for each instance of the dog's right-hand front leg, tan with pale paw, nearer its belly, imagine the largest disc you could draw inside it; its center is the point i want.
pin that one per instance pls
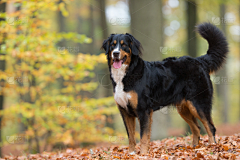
(145, 120)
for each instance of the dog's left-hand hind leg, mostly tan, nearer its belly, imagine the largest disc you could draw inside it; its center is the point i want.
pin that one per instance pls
(185, 113)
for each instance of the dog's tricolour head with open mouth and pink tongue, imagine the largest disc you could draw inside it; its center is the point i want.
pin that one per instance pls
(120, 48)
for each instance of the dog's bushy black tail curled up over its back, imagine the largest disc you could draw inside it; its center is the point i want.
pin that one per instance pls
(218, 46)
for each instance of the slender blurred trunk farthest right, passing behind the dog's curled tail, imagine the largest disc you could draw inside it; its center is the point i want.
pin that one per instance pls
(222, 89)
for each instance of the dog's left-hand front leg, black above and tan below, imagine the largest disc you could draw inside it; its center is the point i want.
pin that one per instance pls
(129, 122)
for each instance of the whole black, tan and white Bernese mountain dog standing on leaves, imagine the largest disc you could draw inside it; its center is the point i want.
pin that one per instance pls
(141, 87)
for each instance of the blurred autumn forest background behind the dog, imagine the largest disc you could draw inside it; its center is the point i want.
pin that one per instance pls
(55, 90)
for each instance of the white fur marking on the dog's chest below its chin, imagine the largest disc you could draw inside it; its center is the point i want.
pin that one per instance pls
(120, 96)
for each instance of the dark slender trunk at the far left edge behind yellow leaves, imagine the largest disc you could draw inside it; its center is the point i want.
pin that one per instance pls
(2, 68)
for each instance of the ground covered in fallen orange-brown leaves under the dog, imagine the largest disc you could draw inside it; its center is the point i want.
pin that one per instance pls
(176, 148)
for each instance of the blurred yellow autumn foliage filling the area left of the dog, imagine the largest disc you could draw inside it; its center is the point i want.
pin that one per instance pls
(47, 85)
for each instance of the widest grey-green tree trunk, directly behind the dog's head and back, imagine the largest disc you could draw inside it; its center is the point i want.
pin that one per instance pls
(146, 26)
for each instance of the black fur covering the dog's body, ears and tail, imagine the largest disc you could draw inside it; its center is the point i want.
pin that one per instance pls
(169, 82)
